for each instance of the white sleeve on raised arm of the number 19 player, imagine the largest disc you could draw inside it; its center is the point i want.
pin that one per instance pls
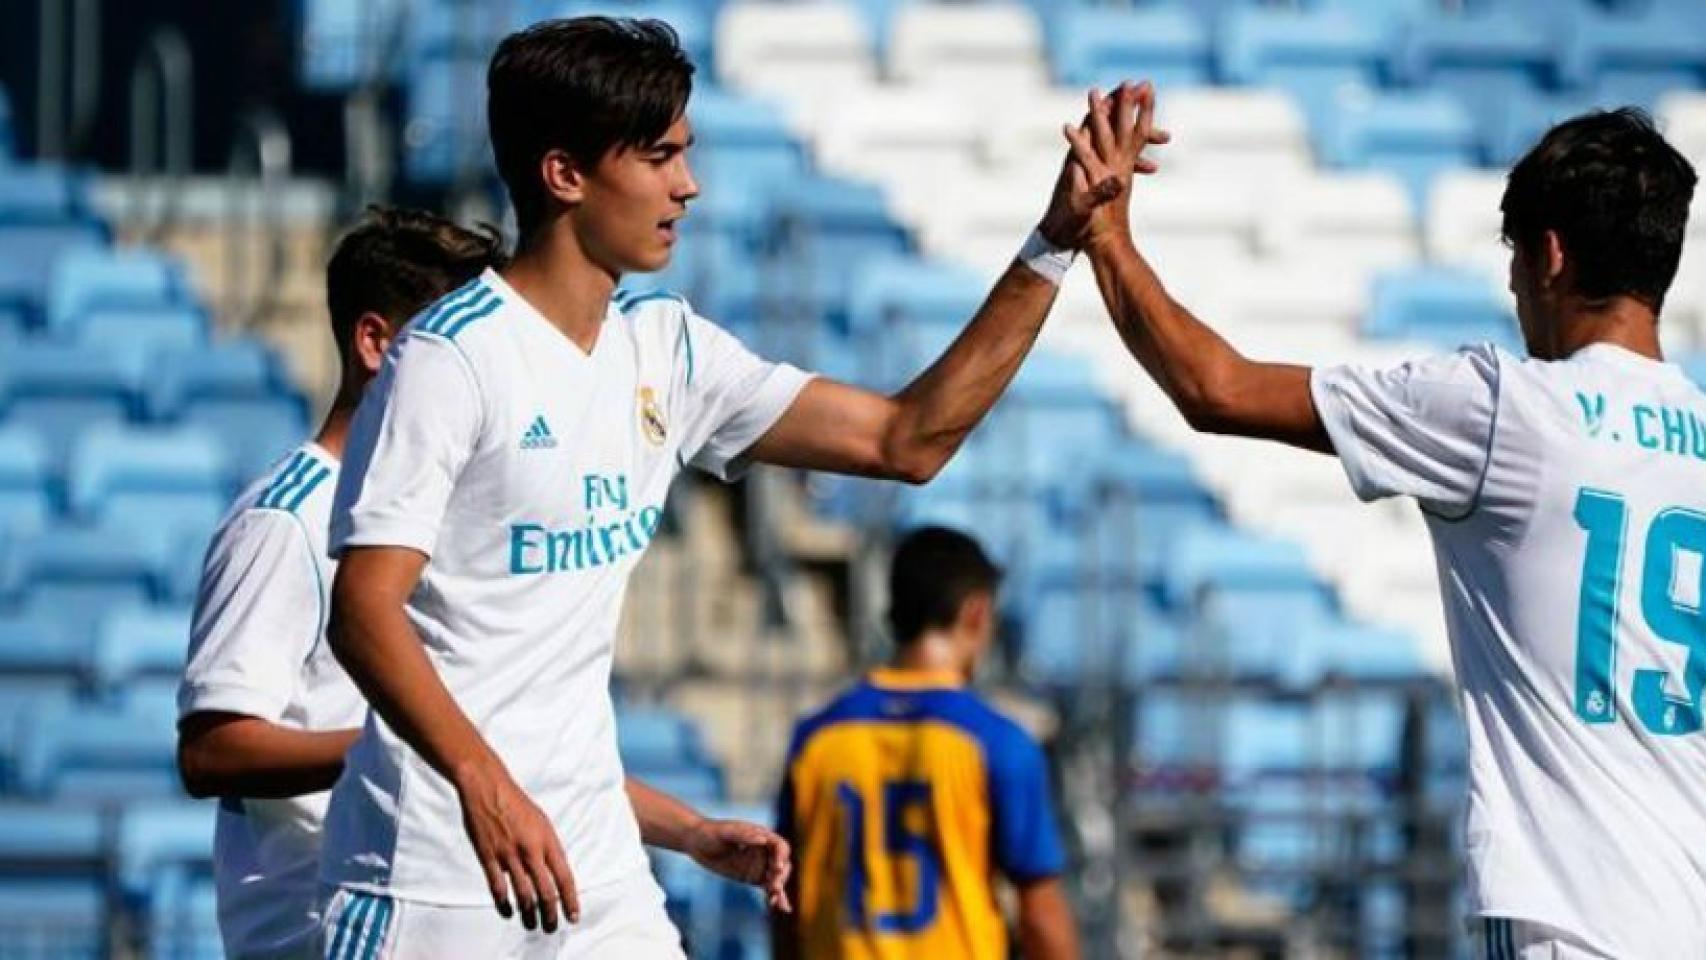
(1420, 429)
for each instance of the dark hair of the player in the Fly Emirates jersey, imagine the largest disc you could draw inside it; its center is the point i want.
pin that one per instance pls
(584, 86)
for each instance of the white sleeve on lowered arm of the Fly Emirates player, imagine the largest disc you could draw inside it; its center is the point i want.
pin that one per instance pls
(410, 439)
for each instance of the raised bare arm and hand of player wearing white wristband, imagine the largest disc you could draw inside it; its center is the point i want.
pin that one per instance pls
(914, 434)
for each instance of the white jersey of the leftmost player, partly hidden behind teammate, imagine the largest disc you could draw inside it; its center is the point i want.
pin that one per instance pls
(257, 649)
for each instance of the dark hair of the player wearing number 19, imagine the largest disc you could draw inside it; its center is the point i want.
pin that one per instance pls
(1616, 195)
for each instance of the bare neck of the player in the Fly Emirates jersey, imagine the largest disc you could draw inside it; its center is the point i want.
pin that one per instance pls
(559, 280)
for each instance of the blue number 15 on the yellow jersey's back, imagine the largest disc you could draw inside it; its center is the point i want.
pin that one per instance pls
(902, 845)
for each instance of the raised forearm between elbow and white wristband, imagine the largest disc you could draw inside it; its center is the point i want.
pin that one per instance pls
(941, 407)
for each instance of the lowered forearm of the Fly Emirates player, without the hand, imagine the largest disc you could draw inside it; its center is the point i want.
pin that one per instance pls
(380, 649)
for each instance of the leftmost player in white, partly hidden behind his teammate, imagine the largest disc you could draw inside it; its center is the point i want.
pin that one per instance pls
(267, 714)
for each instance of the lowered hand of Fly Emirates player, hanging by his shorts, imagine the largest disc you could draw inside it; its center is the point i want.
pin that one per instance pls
(518, 850)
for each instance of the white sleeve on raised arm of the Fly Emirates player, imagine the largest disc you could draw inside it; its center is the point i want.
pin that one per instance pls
(733, 396)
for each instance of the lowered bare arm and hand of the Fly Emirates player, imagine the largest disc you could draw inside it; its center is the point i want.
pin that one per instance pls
(374, 642)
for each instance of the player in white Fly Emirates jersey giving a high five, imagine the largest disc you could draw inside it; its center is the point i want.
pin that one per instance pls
(506, 475)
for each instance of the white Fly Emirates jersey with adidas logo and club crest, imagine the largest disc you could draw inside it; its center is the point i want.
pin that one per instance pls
(533, 475)
